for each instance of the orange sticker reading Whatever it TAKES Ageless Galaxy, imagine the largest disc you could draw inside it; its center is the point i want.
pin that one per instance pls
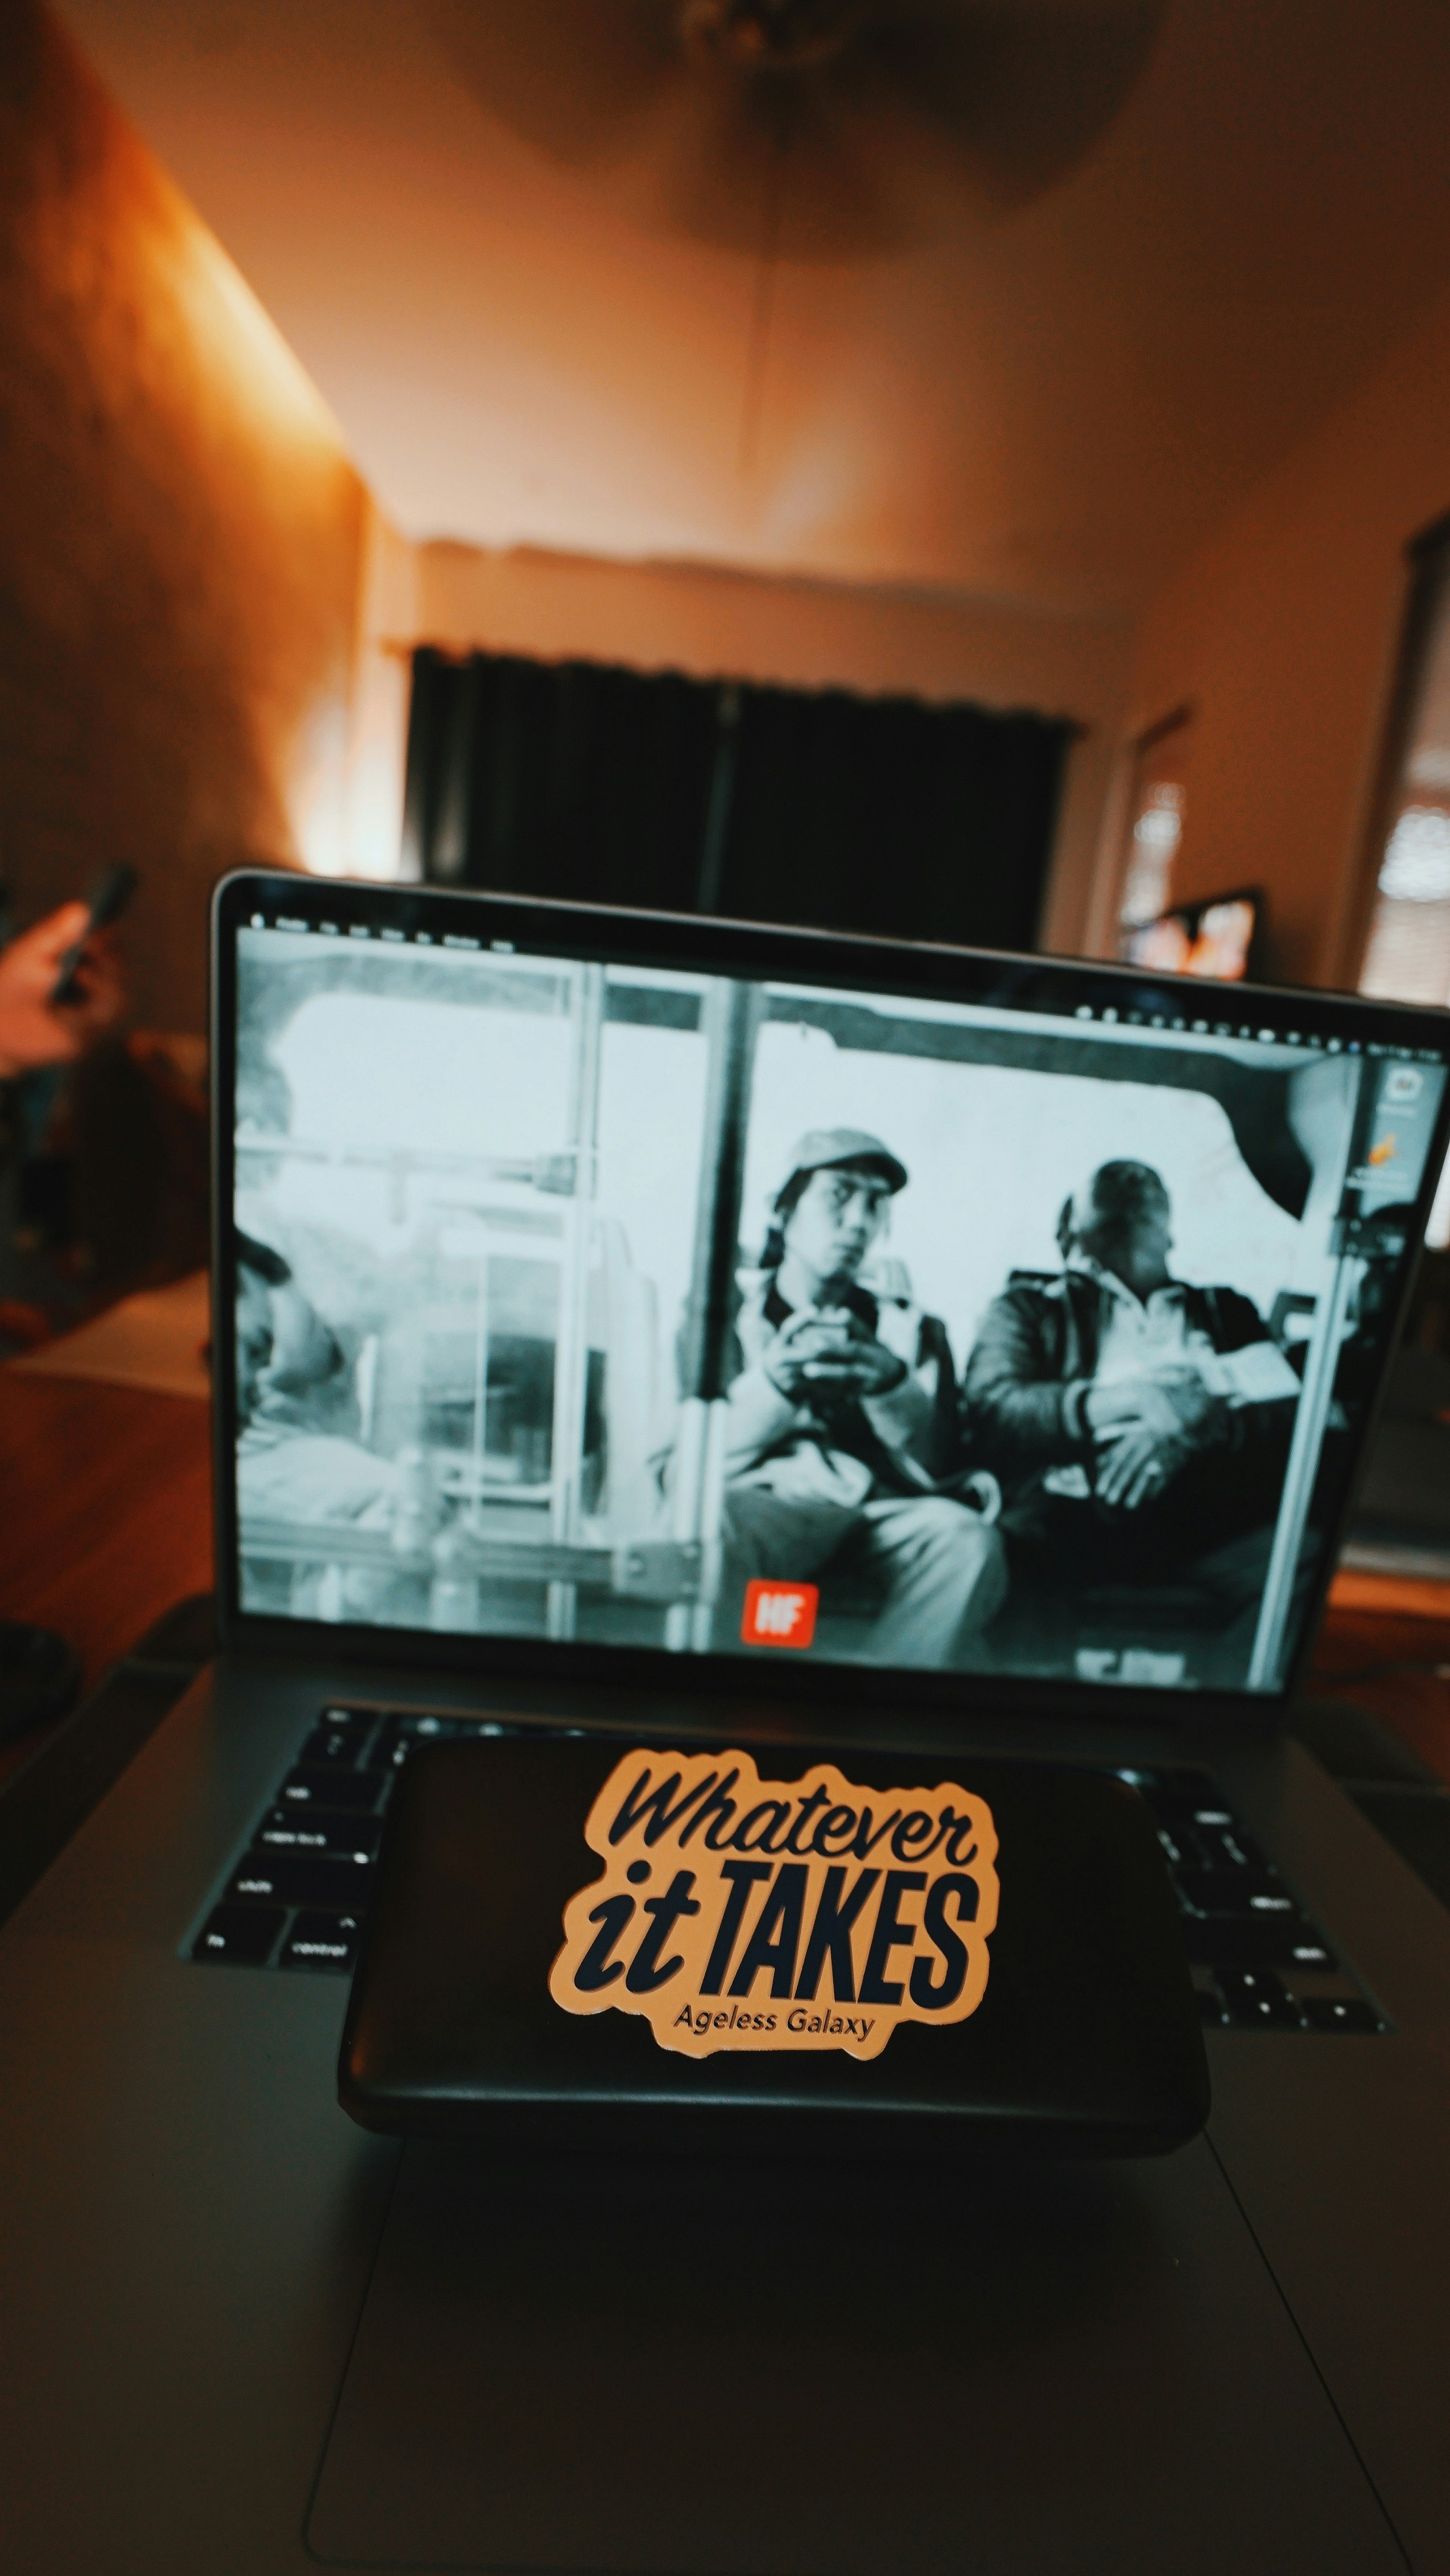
(743, 1913)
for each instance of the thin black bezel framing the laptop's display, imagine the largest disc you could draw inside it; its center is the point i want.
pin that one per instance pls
(766, 954)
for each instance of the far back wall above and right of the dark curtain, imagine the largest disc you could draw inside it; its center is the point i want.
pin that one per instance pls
(807, 635)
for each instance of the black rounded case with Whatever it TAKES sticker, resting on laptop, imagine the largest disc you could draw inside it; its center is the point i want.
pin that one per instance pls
(609, 1946)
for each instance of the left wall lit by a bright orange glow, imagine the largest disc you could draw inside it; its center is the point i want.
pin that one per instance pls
(189, 565)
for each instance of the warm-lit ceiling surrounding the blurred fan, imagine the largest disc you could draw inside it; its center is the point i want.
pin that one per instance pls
(1039, 406)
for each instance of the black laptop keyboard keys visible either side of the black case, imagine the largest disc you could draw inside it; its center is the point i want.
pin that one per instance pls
(300, 1892)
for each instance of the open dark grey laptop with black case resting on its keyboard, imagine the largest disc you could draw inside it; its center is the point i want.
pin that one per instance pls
(679, 1336)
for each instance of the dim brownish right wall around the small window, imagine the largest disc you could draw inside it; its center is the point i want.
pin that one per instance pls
(1281, 635)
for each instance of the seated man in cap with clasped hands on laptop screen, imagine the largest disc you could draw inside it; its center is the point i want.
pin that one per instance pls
(843, 1418)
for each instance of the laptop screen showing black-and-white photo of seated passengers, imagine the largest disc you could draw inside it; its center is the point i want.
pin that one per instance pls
(663, 1287)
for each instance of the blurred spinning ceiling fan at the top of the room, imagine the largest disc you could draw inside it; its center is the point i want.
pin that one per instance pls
(810, 130)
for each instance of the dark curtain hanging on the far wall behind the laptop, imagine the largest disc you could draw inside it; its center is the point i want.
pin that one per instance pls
(769, 805)
